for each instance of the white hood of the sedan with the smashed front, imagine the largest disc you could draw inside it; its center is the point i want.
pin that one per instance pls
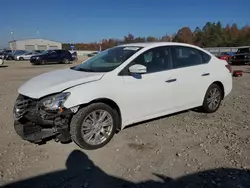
(56, 81)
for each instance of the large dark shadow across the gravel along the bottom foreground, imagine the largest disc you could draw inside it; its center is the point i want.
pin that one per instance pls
(81, 172)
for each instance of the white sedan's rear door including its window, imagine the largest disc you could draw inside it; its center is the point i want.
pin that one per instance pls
(192, 71)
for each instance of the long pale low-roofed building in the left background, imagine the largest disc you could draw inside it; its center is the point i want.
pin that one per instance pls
(34, 44)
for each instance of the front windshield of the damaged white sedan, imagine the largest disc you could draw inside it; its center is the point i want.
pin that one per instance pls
(108, 60)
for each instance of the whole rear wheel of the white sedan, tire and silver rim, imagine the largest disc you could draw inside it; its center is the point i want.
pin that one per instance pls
(212, 99)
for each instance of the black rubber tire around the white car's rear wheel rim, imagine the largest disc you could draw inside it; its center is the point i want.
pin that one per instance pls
(205, 106)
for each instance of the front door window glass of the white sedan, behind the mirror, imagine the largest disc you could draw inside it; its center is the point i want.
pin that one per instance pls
(156, 59)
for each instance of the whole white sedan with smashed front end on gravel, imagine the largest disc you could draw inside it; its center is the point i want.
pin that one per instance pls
(120, 86)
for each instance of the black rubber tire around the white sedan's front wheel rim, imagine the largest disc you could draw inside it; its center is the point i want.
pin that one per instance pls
(77, 120)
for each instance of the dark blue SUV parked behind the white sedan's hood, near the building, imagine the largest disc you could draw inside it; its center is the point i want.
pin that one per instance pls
(52, 56)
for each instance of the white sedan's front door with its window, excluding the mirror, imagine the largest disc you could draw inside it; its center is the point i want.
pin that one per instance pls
(151, 94)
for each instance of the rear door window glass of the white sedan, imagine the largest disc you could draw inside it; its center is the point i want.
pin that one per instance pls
(188, 56)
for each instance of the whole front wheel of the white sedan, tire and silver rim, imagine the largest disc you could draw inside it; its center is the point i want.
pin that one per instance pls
(94, 126)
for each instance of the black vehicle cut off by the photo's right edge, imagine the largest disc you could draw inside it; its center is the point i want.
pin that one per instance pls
(242, 56)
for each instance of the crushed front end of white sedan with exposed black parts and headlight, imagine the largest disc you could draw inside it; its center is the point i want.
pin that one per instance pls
(40, 120)
